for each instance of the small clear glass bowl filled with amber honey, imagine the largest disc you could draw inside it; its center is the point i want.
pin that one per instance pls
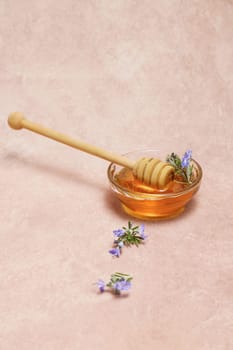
(142, 201)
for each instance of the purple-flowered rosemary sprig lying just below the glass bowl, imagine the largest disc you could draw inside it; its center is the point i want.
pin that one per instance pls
(127, 236)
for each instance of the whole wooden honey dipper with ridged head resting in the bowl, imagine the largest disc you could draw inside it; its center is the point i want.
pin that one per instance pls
(150, 171)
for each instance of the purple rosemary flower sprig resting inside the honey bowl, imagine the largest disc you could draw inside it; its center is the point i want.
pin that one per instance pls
(183, 168)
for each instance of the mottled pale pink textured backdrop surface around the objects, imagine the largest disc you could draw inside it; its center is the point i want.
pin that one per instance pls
(123, 75)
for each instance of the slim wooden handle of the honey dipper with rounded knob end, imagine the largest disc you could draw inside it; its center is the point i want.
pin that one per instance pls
(18, 121)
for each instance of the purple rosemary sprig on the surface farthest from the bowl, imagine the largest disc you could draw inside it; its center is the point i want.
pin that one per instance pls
(118, 282)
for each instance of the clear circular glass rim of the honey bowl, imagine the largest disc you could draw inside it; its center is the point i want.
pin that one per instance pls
(153, 196)
